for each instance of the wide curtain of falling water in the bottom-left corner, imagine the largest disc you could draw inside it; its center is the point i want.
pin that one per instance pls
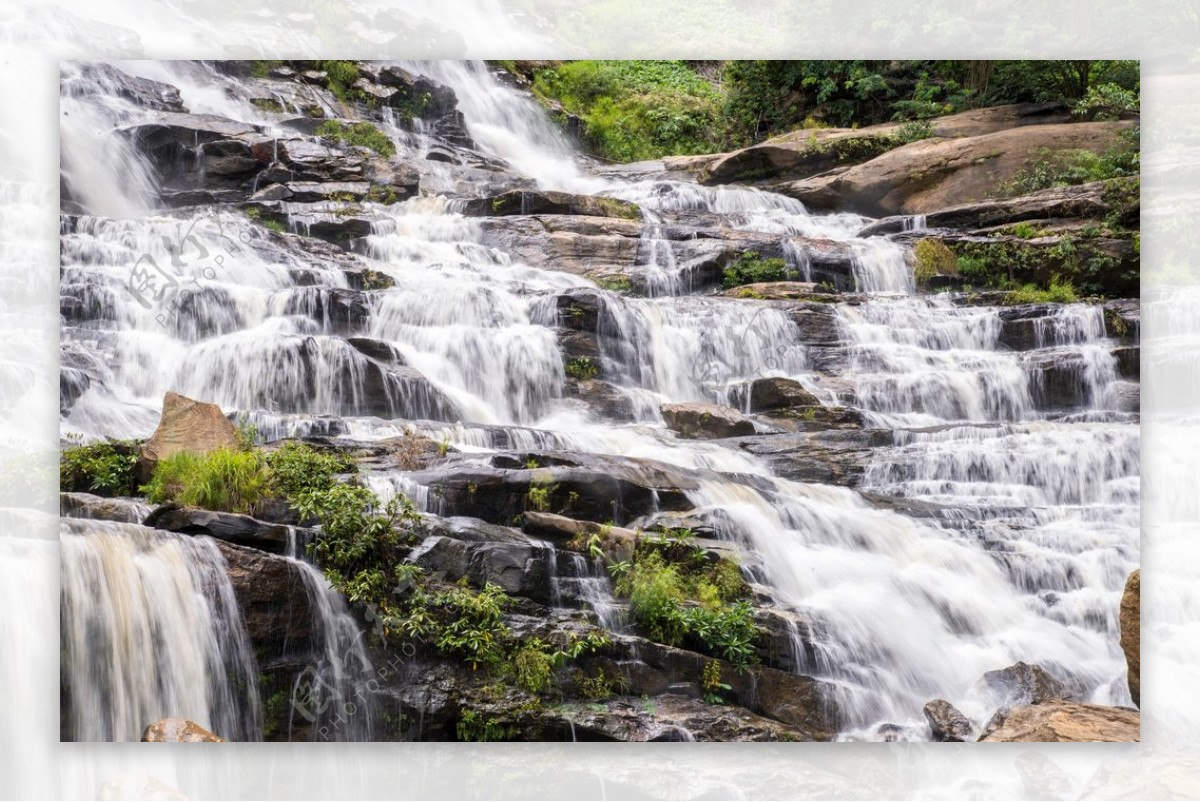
(152, 630)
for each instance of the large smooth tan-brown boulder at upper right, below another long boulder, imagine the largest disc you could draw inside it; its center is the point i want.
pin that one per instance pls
(937, 173)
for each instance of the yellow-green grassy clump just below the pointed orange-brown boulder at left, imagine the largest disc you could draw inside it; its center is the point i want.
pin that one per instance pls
(225, 480)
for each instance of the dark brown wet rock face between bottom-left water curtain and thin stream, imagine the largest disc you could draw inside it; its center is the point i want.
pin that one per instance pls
(274, 602)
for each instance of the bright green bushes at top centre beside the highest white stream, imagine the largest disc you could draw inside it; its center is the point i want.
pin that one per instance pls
(637, 110)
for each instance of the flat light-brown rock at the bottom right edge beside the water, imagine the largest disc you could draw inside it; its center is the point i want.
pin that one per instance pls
(1065, 722)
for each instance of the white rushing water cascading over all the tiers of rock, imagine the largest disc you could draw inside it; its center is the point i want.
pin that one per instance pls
(1025, 561)
